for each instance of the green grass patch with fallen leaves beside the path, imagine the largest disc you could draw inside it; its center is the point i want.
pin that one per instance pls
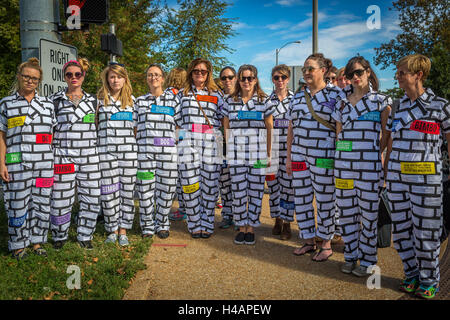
(106, 271)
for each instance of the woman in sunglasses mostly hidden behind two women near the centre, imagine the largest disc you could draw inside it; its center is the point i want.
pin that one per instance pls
(228, 80)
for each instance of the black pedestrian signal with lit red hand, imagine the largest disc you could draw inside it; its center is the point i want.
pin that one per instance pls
(92, 11)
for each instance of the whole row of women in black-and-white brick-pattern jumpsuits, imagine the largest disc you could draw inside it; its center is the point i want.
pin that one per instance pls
(323, 143)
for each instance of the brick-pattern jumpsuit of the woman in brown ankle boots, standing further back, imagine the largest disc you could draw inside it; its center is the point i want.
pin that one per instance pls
(281, 200)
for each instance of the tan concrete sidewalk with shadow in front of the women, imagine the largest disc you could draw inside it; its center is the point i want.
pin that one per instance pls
(210, 269)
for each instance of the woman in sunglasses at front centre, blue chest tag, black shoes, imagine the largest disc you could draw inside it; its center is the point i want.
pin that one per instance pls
(248, 124)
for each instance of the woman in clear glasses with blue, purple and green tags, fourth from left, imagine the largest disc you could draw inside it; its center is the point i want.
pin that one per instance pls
(157, 158)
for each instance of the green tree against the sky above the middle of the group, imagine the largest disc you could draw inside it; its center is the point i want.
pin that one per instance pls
(197, 29)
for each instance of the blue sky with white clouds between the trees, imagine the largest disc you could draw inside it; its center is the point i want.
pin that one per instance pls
(266, 25)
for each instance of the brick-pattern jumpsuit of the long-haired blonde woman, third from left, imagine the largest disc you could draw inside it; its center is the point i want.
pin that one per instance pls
(118, 163)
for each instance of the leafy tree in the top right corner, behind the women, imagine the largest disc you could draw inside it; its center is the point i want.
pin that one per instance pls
(425, 28)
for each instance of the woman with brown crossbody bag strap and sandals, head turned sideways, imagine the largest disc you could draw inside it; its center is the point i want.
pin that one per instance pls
(310, 157)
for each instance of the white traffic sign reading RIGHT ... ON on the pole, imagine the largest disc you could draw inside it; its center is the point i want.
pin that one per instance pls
(52, 56)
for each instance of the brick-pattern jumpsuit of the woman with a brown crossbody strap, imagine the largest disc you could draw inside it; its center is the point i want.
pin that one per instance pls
(312, 157)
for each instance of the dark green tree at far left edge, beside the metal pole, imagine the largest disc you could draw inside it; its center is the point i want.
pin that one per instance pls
(10, 50)
